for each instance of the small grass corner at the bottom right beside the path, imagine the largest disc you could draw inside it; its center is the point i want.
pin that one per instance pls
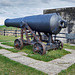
(69, 71)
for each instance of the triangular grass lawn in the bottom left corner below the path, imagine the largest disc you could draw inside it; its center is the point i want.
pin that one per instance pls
(10, 67)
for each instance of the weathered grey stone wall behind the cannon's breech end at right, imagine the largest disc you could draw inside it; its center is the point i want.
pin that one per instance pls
(69, 15)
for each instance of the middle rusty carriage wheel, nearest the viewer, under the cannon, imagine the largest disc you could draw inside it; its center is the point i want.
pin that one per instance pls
(39, 48)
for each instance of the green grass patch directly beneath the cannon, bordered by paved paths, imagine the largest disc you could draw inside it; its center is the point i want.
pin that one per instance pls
(50, 55)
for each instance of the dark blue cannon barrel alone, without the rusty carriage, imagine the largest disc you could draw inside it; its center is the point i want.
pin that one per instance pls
(47, 23)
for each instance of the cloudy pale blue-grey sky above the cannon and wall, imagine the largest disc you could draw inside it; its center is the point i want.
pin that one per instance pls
(21, 8)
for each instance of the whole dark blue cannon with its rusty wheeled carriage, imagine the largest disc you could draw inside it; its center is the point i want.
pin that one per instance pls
(39, 31)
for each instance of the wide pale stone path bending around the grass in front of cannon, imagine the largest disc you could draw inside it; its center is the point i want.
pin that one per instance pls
(52, 67)
